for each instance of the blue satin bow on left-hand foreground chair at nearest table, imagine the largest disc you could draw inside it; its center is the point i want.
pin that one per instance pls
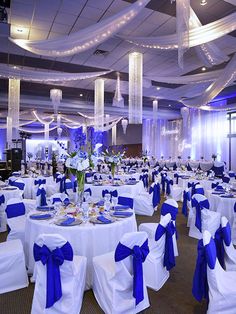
(53, 260)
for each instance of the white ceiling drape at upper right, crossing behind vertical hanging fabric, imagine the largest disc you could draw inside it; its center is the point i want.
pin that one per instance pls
(197, 36)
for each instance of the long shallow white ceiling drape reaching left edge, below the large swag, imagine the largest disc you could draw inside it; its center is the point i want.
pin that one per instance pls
(24, 74)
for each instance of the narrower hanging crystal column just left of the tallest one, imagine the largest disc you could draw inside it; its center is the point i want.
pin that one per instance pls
(99, 105)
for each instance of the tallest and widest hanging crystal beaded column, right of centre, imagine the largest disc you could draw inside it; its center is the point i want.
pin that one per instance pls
(135, 87)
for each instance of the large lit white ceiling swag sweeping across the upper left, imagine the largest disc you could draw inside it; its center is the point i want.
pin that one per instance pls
(86, 38)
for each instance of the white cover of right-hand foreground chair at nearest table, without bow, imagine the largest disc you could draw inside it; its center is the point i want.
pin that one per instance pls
(113, 281)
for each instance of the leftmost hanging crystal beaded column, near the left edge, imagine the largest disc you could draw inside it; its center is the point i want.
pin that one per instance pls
(14, 104)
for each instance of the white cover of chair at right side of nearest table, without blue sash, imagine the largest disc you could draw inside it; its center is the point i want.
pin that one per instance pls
(155, 273)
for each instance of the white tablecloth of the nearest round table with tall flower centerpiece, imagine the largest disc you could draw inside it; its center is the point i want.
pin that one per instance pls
(87, 239)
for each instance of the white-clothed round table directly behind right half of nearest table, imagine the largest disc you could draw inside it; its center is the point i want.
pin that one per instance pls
(132, 190)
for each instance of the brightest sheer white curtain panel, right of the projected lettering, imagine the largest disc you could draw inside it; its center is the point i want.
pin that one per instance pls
(209, 134)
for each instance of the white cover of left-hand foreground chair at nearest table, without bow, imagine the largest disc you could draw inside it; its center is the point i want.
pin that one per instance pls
(72, 280)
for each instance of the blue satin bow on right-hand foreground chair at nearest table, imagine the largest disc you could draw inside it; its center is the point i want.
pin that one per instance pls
(139, 255)
